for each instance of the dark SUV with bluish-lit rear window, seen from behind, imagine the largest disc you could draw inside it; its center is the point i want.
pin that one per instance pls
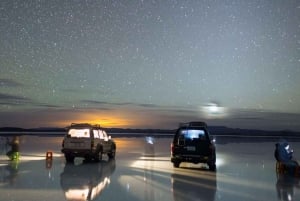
(192, 143)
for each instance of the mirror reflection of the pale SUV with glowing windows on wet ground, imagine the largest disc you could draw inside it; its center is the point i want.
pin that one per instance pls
(86, 181)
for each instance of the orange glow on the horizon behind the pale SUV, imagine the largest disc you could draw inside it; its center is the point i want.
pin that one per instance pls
(114, 118)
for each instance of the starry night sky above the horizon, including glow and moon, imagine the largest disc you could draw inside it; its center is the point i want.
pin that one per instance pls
(150, 64)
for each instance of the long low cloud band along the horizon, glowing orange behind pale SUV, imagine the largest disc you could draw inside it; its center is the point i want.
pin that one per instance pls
(145, 117)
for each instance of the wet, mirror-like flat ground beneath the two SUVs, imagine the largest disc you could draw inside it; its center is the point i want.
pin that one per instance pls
(141, 171)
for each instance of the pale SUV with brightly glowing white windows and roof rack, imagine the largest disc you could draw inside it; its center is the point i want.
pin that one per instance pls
(87, 141)
